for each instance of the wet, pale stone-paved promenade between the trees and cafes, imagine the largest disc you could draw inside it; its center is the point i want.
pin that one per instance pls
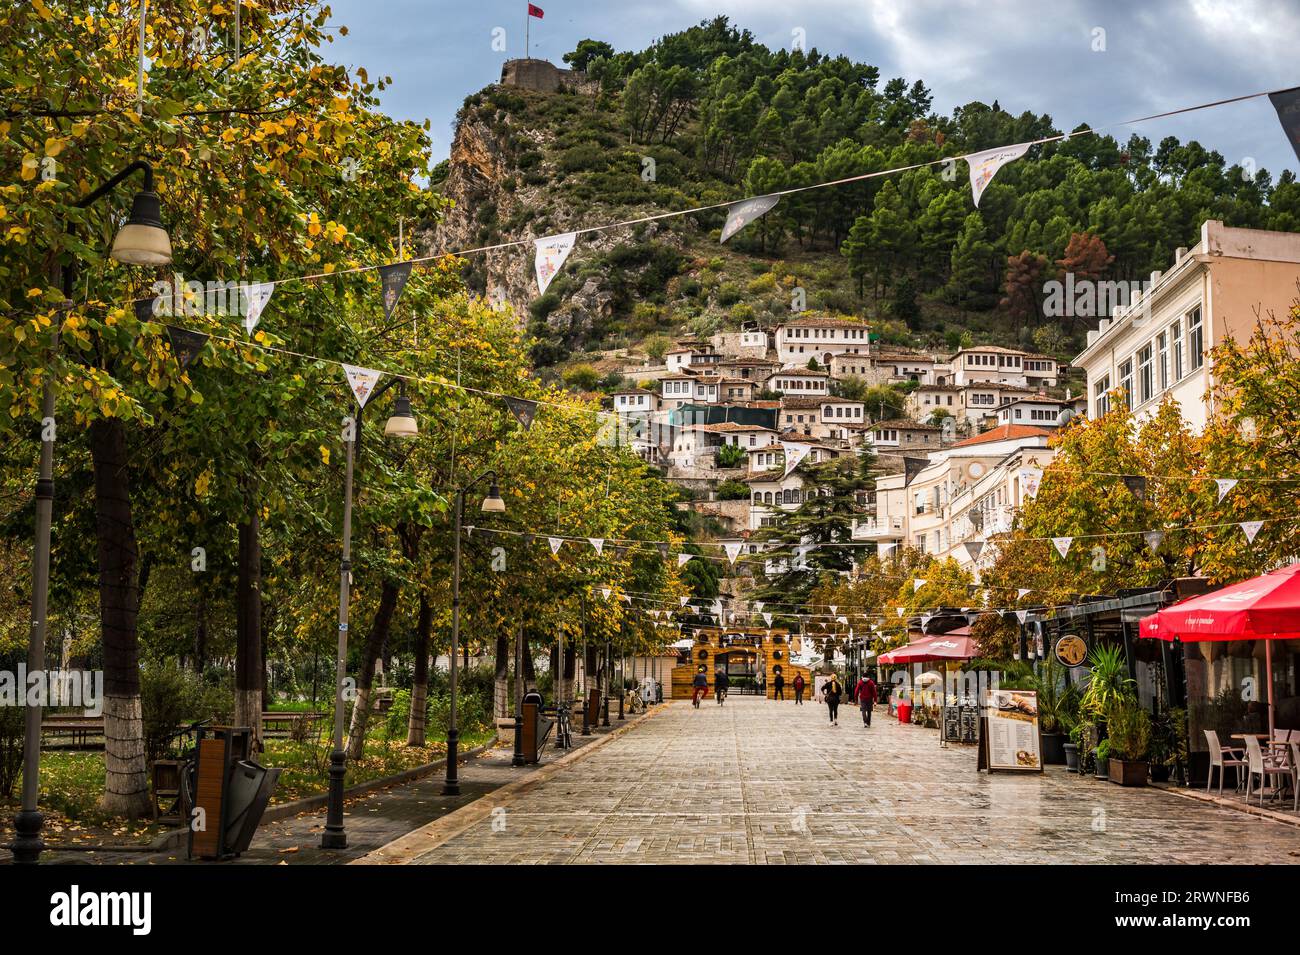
(761, 782)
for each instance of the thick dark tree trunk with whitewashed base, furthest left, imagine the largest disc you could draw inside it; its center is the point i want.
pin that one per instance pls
(125, 784)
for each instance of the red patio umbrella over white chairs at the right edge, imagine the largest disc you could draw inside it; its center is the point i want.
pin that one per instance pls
(1263, 609)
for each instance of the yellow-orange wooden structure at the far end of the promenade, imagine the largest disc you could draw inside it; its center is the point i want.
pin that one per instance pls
(751, 657)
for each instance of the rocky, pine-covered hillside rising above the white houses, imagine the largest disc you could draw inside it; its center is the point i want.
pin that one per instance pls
(723, 118)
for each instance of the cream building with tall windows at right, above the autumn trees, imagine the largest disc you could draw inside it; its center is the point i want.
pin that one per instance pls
(1160, 344)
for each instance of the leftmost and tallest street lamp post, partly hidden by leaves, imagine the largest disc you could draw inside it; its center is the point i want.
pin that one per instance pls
(142, 241)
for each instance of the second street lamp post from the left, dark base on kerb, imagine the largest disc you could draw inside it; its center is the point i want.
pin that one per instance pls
(401, 424)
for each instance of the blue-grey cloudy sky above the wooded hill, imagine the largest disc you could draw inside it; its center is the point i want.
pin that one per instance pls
(1159, 55)
